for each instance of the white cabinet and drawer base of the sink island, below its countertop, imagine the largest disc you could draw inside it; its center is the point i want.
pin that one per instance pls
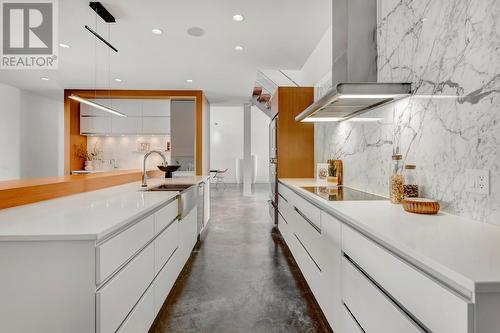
(116, 283)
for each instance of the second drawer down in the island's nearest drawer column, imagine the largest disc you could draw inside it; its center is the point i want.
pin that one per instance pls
(115, 300)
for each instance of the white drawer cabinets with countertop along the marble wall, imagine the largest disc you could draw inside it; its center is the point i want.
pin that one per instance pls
(369, 259)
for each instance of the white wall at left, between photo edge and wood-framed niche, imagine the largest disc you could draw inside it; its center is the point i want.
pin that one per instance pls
(31, 134)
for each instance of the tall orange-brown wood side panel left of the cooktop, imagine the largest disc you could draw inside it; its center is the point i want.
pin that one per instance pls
(295, 139)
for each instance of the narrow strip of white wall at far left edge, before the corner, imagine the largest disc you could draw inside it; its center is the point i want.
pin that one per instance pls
(10, 127)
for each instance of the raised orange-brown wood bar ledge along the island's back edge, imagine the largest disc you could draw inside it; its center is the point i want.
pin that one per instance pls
(25, 191)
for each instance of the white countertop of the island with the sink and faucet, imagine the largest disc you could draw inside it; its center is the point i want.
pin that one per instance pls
(86, 216)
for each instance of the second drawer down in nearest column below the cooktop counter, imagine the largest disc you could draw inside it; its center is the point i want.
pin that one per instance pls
(371, 308)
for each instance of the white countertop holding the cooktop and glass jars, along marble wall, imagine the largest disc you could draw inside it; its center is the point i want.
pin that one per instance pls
(461, 253)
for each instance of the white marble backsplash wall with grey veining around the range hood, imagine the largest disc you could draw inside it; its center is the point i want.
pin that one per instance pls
(450, 51)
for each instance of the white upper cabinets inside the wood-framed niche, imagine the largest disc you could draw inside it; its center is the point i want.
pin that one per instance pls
(142, 117)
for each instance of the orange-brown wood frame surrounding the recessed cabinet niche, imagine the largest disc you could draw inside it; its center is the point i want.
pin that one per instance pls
(73, 139)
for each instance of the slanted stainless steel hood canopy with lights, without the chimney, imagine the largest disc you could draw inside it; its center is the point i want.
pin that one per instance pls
(349, 100)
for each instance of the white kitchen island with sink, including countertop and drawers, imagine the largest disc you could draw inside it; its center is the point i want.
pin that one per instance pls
(100, 261)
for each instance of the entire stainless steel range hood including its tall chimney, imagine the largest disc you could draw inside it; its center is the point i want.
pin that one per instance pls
(354, 59)
